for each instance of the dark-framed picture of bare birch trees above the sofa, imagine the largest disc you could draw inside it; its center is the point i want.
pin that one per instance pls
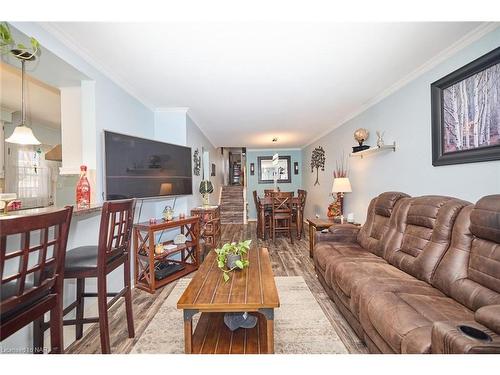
(466, 113)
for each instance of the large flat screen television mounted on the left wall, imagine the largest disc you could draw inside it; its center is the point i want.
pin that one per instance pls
(142, 168)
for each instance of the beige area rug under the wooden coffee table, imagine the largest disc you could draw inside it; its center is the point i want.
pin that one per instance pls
(301, 327)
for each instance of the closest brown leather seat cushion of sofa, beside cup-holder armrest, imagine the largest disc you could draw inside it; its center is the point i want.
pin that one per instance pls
(405, 320)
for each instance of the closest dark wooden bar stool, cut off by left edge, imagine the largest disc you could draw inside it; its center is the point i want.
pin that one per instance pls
(32, 274)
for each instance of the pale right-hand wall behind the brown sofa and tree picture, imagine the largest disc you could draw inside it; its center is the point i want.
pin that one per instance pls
(405, 116)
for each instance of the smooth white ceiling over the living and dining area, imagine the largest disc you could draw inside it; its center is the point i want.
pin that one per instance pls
(254, 81)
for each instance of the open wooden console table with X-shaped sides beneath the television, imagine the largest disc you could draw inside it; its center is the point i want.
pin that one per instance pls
(185, 255)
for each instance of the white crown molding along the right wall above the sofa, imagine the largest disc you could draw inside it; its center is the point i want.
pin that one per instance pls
(461, 43)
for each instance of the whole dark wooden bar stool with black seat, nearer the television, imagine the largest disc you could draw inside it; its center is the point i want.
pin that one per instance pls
(98, 261)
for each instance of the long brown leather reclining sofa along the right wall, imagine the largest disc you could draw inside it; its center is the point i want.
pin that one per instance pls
(417, 270)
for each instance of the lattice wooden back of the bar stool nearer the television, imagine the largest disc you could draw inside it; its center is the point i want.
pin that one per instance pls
(115, 232)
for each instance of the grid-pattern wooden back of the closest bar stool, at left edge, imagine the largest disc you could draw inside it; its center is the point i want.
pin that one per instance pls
(35, 268)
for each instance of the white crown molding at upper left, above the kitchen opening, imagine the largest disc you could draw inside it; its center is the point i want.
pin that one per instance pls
(73, 45)
